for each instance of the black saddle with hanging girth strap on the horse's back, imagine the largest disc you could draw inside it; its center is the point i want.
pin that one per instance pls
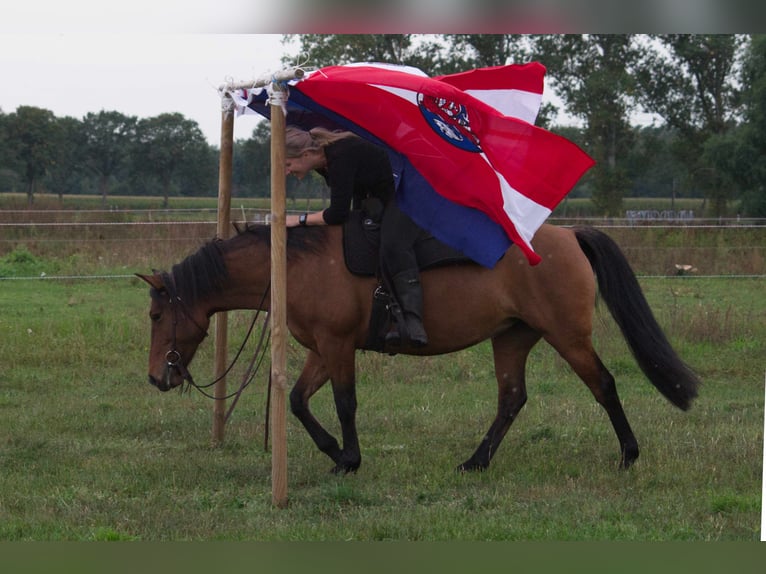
(361, 243)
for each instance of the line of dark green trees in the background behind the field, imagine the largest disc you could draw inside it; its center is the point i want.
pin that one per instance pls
(705, 93)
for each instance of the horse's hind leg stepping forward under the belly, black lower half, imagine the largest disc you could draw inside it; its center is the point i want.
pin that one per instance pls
(510, 350)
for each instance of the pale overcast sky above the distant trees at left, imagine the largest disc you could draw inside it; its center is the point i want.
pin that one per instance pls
(142, 75)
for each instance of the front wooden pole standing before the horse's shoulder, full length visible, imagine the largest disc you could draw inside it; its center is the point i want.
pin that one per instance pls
(278, 316)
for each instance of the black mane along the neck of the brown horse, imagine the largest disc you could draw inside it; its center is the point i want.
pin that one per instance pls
(204, 272)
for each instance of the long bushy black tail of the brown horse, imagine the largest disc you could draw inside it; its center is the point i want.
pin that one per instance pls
(620, 290)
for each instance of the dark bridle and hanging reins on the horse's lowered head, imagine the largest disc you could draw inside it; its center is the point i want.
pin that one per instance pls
(173, 356)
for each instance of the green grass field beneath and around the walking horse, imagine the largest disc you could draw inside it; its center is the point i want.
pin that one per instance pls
(89, 451)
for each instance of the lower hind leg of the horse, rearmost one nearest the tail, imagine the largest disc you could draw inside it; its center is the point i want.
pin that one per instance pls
(600, 381)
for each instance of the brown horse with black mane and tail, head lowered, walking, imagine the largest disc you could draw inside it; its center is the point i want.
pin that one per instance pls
(513, 304)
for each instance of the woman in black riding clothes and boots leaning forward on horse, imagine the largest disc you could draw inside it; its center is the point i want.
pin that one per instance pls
(359, 175)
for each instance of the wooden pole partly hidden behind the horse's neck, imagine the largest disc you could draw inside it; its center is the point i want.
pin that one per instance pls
(224, 211)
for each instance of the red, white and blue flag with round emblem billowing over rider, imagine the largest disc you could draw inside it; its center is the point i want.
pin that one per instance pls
(470, 166)
